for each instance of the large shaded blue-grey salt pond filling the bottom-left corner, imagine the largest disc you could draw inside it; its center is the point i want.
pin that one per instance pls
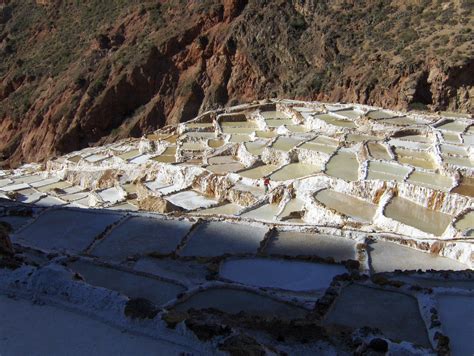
(67, 333)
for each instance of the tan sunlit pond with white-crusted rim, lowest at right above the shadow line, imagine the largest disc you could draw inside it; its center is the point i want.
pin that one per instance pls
(409, 213)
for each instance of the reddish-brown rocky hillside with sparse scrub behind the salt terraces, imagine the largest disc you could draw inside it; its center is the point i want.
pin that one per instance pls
(77, 73)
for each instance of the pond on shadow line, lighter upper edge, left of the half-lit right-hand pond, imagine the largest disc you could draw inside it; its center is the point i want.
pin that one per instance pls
(292, 243)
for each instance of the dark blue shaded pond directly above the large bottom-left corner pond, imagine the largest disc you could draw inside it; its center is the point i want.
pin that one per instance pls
(129, 284)
